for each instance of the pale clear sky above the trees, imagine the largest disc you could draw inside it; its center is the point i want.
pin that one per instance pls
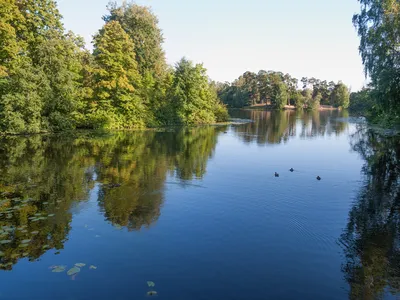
(311, 38)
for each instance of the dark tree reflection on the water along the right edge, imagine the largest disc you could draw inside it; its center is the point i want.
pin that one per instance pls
(371, 240)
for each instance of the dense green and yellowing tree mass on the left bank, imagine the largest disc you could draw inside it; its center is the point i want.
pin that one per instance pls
(50, 82)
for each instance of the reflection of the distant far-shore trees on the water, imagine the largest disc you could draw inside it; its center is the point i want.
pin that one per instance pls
(276, 127)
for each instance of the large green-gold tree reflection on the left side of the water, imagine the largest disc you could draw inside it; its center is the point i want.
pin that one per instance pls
(43, 178)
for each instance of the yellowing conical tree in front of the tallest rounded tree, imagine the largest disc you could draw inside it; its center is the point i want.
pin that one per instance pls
(116, 101)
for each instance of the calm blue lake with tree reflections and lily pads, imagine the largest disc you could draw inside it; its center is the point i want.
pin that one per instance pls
(197, 213)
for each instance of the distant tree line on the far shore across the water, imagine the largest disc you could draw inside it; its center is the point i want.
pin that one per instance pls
(278, 90)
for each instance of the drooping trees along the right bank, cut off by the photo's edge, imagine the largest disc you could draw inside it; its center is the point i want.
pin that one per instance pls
(378, 26)
